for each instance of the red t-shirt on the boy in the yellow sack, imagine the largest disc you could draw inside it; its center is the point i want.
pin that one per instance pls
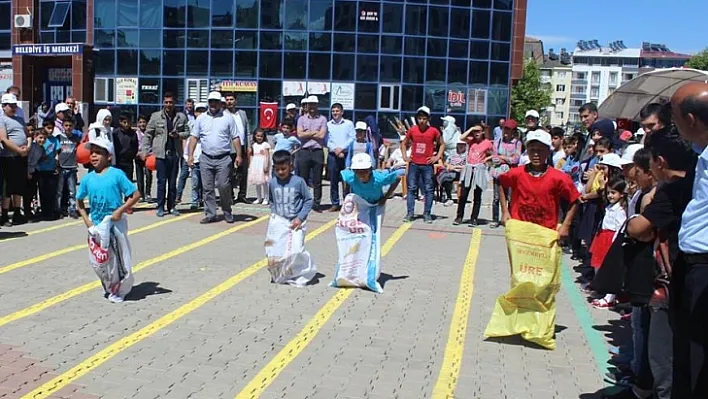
(536, 199)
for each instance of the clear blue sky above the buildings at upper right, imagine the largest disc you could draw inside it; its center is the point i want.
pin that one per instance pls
(679, 24)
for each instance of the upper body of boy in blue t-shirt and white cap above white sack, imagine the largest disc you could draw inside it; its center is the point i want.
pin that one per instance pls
(368, 183)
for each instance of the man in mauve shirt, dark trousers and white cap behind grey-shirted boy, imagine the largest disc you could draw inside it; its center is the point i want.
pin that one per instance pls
(312, 132)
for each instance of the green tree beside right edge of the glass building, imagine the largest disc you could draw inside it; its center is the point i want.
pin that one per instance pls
(529, 93)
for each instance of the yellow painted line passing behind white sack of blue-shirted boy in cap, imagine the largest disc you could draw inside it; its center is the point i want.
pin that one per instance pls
(270, 372)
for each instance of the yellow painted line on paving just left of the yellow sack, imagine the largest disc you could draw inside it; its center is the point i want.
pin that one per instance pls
(452, 361)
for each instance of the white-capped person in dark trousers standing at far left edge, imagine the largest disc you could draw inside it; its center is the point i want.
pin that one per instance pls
(13, 159)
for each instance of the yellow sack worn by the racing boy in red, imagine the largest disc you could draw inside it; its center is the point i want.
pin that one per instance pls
(529, 307)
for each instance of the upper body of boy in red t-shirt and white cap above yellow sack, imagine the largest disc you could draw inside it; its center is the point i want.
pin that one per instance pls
(537, 188)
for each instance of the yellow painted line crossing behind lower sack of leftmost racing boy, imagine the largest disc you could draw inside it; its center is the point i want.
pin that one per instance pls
(47, 303)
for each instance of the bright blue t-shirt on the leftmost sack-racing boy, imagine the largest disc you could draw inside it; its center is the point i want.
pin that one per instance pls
(105, 191)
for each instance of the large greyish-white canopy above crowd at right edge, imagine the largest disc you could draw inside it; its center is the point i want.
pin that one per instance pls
(655, 86)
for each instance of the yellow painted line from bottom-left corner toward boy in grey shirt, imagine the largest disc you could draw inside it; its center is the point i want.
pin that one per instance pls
(122, 344)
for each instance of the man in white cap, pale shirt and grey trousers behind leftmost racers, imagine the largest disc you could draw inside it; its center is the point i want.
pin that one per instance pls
(217, 133)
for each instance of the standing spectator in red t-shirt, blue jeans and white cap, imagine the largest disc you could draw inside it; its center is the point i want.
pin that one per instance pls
(422, 139)
